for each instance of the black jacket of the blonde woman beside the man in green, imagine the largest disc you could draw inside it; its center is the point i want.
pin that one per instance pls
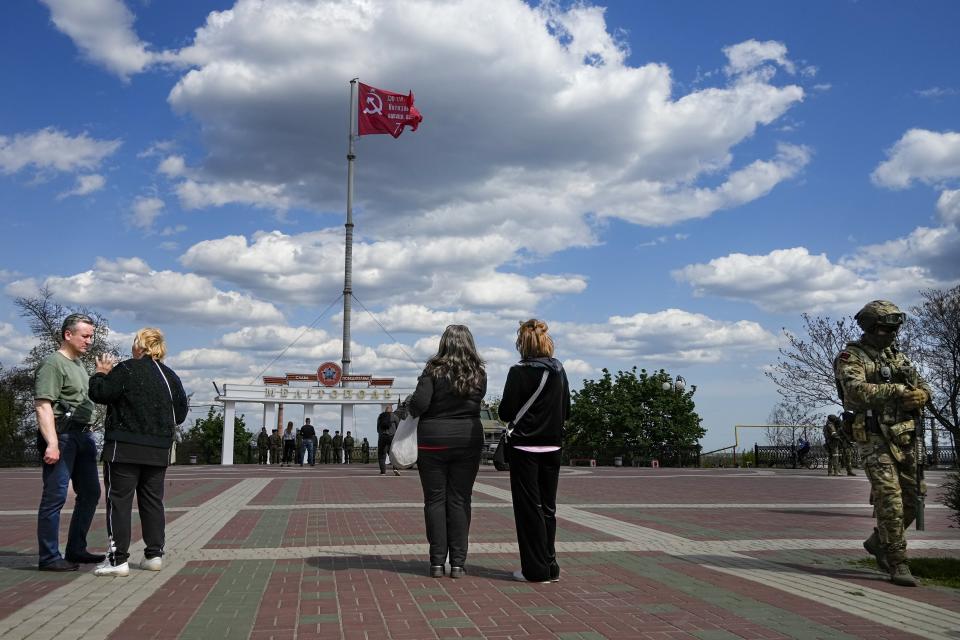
(139, 405)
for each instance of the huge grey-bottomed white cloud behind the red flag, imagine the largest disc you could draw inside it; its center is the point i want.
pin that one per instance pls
(268, 82)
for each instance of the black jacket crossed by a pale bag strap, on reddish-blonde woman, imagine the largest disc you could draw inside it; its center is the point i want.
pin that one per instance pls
(542, 424)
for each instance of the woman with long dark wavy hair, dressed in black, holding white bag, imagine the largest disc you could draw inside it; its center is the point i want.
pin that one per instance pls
(449, 439)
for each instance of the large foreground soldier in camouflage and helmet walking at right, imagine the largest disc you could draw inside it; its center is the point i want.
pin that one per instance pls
(882, 394)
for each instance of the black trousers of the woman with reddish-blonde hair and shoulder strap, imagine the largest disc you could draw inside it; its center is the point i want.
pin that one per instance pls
(533, 484)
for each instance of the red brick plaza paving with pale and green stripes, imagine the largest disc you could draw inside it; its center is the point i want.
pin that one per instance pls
(338, 552)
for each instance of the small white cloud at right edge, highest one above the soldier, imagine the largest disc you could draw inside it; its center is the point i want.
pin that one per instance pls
(928, 156)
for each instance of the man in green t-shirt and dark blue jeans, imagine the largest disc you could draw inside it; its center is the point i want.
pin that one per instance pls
(64, 413)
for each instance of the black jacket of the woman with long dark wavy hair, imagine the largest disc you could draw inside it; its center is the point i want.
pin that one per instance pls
(446, 419)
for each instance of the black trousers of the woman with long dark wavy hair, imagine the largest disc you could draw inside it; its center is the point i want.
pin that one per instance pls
(447, 477)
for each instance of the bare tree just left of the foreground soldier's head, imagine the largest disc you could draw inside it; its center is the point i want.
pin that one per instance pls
(804, 371)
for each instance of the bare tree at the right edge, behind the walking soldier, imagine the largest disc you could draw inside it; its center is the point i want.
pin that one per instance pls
(936, 343)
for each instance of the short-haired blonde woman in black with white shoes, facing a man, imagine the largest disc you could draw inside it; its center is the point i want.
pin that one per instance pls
(145, 402)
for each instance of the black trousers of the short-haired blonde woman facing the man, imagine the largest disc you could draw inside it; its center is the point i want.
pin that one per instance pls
(121, 480)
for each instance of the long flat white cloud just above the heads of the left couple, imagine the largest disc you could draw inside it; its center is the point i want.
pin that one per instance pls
(130, 285)
